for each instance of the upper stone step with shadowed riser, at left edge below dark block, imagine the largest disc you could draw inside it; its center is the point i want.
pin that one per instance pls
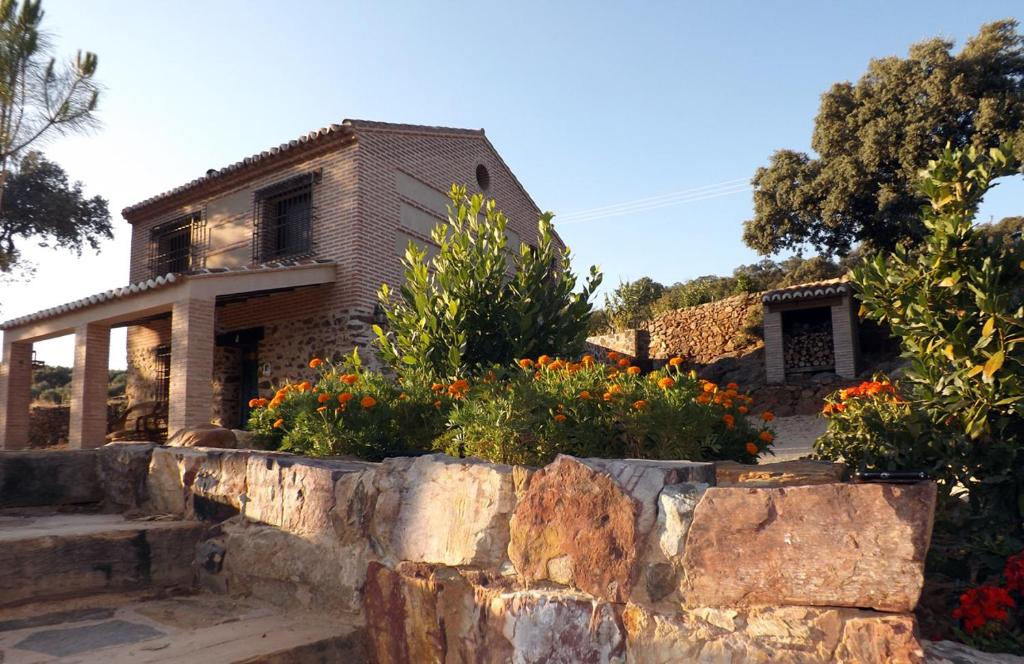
(49, 555)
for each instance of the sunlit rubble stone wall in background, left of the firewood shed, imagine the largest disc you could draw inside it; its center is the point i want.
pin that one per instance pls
(704, 334)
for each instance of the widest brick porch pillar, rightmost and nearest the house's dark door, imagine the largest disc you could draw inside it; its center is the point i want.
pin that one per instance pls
(192, 364)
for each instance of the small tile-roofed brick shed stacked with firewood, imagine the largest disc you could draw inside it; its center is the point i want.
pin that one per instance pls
(812, 328)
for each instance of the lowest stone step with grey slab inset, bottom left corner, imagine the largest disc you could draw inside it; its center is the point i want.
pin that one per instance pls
(193, 629)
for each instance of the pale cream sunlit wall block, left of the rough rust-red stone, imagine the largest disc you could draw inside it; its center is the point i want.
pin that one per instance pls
(440, 510)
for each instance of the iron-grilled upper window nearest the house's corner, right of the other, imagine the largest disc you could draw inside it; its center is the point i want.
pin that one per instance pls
(283, 220)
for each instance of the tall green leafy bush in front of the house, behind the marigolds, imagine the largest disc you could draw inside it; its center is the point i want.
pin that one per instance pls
(461, 312)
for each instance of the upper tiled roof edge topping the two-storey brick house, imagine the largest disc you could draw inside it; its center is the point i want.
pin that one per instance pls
(334, 132)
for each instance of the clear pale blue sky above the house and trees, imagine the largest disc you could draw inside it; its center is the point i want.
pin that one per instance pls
(591, 104)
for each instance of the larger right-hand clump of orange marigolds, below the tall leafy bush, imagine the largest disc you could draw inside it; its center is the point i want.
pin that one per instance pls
(587, 409)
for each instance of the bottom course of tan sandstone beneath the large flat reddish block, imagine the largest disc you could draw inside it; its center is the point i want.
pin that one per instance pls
(771, 635)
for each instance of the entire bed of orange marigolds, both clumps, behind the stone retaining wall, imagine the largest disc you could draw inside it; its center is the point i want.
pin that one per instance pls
(528, 413)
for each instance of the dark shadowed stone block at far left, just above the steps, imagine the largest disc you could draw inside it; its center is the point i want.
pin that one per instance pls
(53, 478)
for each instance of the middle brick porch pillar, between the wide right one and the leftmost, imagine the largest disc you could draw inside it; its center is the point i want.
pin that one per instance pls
(88, 425)
